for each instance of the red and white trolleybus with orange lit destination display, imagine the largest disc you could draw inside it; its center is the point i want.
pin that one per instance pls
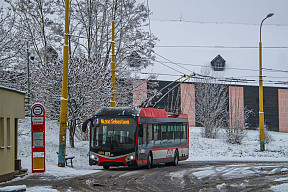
(126, 136)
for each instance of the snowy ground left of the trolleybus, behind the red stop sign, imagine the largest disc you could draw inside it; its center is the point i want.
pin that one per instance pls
(81, 151)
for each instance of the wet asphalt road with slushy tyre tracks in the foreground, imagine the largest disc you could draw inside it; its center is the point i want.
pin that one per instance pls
(187, 176)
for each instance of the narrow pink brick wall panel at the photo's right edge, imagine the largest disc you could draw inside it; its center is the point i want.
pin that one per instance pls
(283, 109)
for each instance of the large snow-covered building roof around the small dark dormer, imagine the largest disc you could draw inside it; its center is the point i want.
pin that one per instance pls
(187, 47)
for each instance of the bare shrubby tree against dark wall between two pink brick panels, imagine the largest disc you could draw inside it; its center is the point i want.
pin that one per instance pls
(211, 101)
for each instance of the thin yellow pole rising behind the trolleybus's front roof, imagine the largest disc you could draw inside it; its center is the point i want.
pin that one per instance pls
(112, 101)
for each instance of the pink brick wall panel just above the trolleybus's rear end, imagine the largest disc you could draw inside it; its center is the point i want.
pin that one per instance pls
(188, 102)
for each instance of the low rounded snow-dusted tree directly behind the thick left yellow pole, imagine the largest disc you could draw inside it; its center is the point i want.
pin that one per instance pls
(88, 90)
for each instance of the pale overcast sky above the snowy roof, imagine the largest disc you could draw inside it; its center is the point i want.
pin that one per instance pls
(234, 11)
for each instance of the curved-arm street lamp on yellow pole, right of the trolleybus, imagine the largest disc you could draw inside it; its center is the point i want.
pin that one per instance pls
(261, 112)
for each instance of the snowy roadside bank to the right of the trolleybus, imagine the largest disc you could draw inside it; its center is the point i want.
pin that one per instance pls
(204, 149)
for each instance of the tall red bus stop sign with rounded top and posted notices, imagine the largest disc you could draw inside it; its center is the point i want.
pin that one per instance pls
(38, 138)
